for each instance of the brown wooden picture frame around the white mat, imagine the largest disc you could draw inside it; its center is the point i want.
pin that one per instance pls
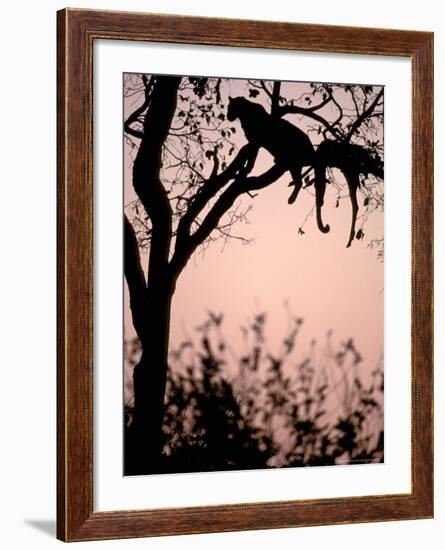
(76, 517)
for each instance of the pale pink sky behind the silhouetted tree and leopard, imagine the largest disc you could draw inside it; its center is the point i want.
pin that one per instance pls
(332, 287)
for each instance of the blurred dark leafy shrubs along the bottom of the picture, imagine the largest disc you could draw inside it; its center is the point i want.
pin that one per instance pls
(260, 410)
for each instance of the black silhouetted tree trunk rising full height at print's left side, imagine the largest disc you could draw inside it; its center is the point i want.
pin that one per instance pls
(151, 303)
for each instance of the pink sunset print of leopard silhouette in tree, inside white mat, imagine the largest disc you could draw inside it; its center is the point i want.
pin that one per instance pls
(253, 284)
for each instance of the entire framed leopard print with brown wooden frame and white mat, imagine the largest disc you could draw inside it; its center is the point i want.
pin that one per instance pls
(245, 228)
